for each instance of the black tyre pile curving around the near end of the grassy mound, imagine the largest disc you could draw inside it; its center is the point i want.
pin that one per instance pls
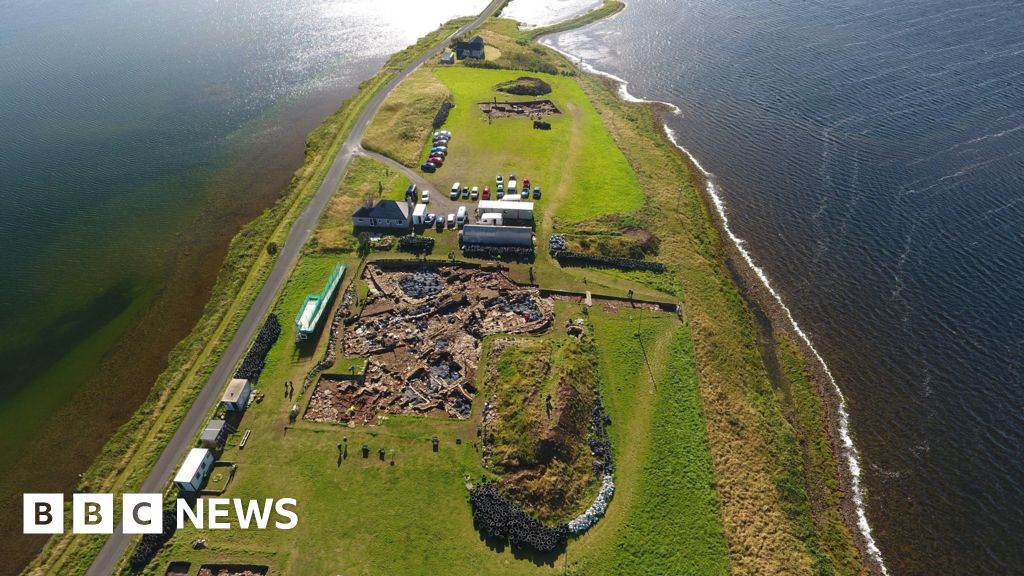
(499, 518)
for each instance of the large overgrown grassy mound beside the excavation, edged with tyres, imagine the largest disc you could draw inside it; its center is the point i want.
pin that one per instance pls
(542, 397)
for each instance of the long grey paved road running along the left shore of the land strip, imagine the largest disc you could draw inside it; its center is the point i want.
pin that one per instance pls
(183, 440)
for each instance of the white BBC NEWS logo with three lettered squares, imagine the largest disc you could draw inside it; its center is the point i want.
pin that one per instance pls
(144, 514)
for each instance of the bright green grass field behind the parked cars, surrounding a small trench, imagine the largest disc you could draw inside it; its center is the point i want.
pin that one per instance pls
(577, 159)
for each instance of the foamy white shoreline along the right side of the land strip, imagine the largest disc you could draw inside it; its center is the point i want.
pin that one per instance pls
(761, 297)
